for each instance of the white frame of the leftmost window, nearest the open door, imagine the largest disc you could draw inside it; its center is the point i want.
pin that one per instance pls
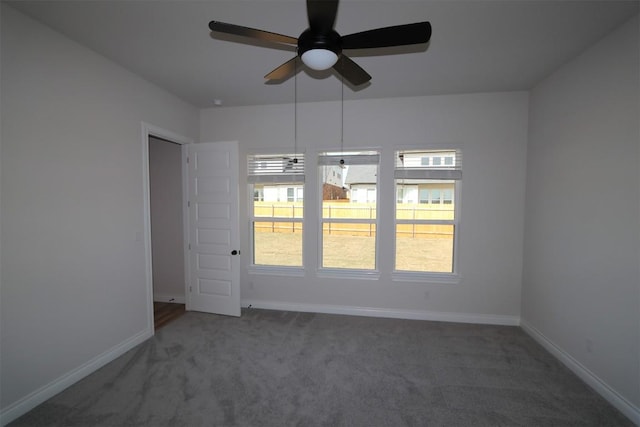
(260, 171)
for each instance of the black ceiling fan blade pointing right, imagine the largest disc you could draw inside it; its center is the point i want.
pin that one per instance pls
(398, 35)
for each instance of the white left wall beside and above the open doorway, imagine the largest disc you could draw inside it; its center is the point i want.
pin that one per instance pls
(73, 261)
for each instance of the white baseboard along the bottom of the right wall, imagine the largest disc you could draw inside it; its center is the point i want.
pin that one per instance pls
(600, 386)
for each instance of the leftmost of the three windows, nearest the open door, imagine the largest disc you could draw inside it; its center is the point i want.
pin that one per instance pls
(276, 213)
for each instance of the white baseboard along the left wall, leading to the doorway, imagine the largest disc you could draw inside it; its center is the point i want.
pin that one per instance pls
(47, 391)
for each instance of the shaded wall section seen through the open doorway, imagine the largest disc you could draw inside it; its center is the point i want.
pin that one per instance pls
(167, 232)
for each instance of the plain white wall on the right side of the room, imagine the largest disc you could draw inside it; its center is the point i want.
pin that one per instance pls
(582, 244)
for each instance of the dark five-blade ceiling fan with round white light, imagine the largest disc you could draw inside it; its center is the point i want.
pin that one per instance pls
(320, 46)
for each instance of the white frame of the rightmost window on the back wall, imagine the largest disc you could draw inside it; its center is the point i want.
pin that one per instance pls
(435, 172)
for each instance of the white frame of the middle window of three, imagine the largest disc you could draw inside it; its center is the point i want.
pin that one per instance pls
(357, 157)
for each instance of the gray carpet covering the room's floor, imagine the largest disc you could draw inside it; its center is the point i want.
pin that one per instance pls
(272, 368)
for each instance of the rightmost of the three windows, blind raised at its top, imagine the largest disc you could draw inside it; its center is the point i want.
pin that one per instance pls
(426, 231)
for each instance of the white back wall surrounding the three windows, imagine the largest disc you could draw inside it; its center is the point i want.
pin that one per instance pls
(492, 131)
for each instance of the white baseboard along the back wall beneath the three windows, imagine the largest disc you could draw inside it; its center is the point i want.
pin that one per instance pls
(439, 316)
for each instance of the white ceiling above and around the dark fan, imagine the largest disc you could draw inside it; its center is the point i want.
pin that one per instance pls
(476, 46)
